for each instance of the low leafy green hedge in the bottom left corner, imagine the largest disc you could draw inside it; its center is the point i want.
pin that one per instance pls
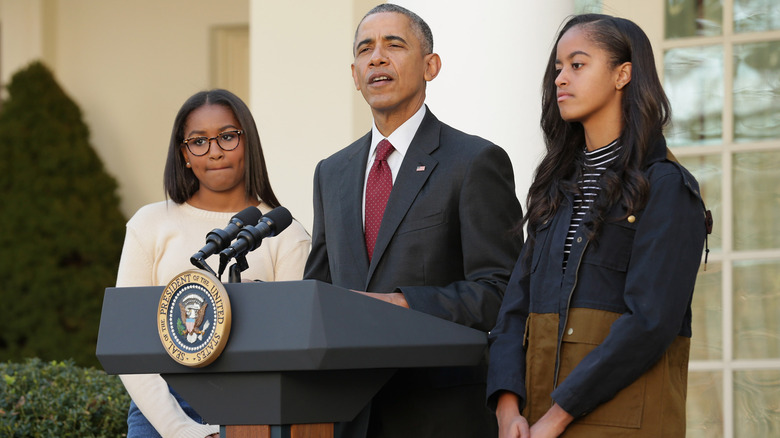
(59, 399)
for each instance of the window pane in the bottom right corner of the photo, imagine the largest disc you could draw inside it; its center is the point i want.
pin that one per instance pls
(757, 403)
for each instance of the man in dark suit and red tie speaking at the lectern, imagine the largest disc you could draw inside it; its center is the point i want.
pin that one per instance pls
(442, 242)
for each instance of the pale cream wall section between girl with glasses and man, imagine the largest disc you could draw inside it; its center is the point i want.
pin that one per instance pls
(302, 91)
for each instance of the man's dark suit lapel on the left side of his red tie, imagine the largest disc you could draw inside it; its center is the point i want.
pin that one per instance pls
(351, 203)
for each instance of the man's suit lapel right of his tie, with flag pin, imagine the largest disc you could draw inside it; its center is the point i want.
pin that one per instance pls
(417, 167)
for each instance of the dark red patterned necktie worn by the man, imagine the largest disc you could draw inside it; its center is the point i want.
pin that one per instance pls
(378, 187)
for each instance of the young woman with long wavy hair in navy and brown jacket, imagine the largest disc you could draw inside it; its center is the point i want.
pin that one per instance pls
(594, 332)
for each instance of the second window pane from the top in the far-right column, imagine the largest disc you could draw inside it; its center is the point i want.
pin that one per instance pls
(757, 91)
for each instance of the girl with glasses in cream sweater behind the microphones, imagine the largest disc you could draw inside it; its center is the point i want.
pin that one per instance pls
(215, 168)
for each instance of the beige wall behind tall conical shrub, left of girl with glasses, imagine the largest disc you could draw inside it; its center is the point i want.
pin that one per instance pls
(128, 64)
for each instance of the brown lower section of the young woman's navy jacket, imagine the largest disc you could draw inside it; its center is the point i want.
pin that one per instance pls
(651, 406)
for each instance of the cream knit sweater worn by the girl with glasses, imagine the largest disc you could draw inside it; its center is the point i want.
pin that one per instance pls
(160, 240)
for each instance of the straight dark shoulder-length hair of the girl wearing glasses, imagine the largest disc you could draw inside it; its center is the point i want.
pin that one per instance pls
(180, 182)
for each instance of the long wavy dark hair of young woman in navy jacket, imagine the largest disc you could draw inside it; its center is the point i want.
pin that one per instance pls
(645, 110)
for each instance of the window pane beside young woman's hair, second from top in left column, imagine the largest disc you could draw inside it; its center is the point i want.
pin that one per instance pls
(693, 80)
